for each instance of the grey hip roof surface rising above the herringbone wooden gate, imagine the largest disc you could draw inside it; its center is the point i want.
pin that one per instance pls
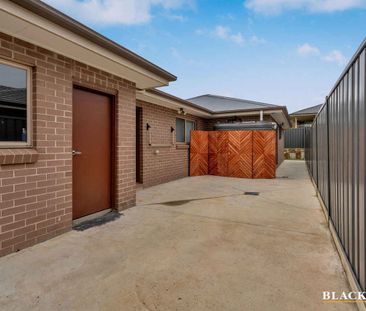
(217, 103)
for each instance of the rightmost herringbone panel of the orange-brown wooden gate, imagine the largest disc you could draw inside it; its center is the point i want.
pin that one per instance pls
(264, 154)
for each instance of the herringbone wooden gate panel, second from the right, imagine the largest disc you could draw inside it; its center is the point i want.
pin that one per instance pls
(240, 154)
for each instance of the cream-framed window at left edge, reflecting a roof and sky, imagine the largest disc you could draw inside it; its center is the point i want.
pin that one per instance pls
(15, 113)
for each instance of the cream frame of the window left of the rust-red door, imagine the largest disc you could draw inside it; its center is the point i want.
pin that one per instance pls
(29, 119)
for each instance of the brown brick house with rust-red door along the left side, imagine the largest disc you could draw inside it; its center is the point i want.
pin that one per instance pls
(80, 121)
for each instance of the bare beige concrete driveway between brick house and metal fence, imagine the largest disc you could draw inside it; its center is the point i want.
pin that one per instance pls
(197, 243)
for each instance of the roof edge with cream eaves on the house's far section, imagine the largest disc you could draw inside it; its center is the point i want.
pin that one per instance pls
(154, 96)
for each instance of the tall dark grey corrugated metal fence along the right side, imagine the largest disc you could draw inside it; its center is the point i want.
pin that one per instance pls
(335, 156)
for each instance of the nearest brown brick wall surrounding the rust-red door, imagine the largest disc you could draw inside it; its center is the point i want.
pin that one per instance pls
(36, 198)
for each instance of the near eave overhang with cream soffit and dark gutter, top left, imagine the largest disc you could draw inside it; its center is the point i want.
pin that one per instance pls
(42, 25)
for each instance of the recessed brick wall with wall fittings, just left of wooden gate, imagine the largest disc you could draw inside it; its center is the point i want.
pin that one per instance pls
(171, 162)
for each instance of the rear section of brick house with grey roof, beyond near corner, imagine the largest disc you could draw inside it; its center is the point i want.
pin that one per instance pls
(163, 149)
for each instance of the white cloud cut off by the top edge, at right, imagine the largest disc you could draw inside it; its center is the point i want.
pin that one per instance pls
(271, 7)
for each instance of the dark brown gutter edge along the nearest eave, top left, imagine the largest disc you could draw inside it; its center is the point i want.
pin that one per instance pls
(49, 13)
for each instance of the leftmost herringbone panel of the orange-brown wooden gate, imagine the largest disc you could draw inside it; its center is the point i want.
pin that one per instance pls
(198, 153)
